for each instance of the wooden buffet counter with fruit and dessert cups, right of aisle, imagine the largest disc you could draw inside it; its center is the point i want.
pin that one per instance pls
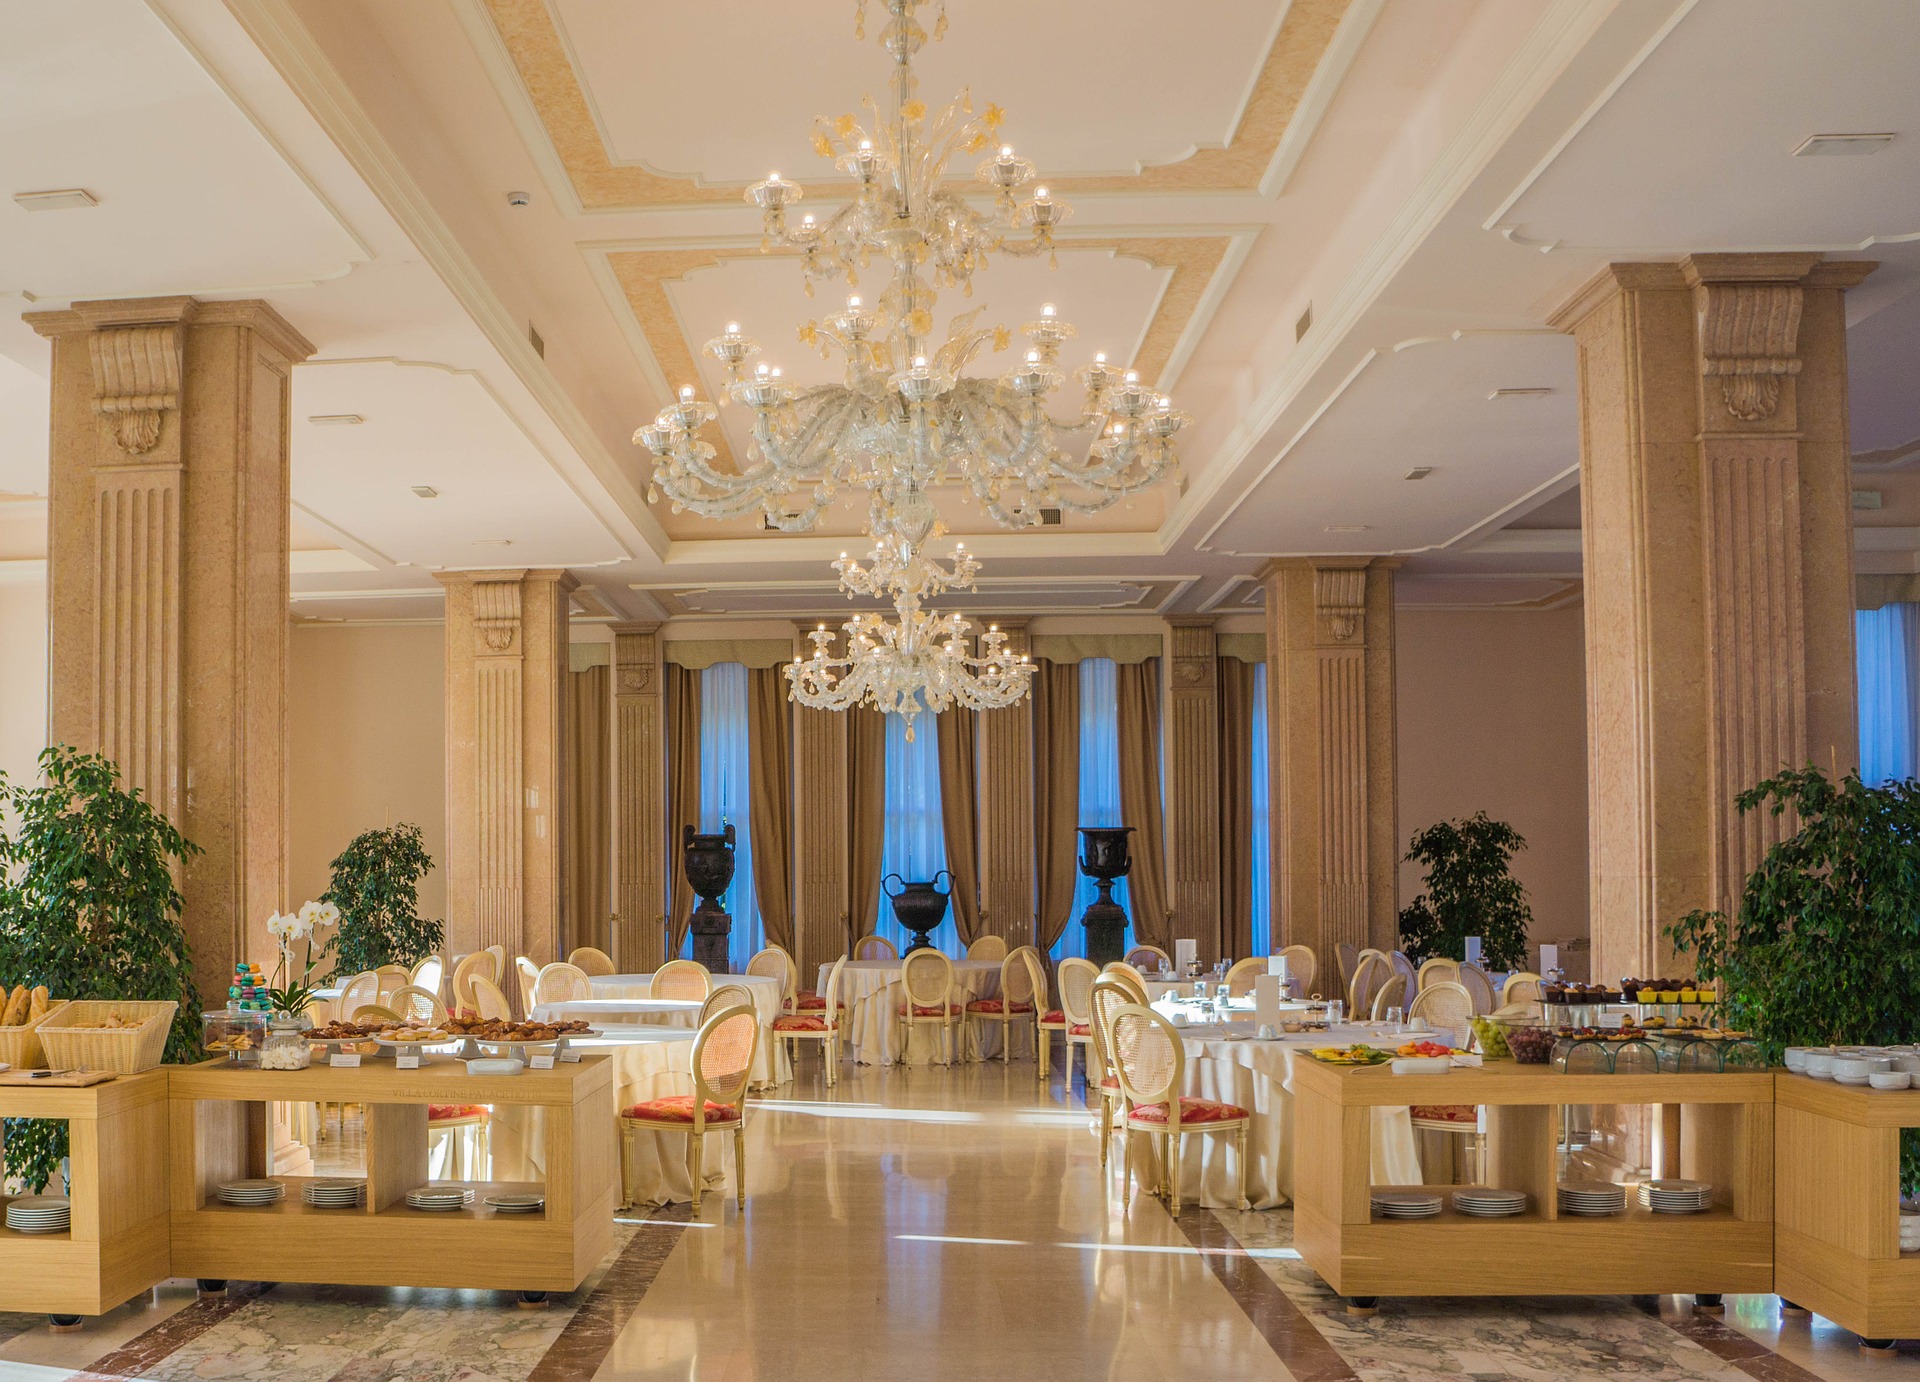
(1727, 1135)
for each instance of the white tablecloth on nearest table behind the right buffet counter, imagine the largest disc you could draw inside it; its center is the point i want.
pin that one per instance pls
(1222, 1064)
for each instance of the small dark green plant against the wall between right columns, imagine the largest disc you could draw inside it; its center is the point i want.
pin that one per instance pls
(1470, 892)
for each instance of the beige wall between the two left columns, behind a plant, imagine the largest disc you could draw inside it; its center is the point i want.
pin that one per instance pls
(368, 746)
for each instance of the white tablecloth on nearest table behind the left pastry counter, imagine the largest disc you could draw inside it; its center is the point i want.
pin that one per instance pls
(648, 1064)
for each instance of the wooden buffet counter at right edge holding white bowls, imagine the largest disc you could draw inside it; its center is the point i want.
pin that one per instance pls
(1838, 1174)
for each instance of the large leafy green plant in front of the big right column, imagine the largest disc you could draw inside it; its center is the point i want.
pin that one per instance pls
(1823, 949)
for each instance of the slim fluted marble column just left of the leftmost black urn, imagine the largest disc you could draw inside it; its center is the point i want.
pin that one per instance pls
(640, 847)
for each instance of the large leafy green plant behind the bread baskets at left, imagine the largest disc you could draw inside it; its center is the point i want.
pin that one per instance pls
(91, 909)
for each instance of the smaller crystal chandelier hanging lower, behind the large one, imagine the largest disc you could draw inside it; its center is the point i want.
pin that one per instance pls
(923, 661)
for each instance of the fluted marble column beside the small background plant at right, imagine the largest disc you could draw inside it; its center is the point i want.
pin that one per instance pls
(1332, 753)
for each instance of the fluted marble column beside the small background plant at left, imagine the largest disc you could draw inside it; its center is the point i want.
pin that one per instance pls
(506, 759)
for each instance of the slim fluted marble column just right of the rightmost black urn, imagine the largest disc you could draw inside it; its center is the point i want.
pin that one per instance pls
(1193, 786)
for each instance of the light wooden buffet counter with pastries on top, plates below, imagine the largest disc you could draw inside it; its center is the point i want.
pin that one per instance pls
(218, 1135)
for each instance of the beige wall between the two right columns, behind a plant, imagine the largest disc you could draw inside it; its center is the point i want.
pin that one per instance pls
(1493, 717)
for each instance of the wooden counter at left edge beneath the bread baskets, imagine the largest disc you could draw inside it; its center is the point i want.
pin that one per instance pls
(116, 1245)
